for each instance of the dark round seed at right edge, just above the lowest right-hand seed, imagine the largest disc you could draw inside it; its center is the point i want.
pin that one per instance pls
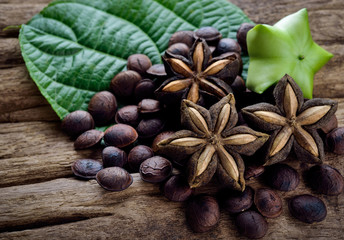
(325, 180)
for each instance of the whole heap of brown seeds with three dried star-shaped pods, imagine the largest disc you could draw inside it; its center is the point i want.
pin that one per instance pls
(194, 113)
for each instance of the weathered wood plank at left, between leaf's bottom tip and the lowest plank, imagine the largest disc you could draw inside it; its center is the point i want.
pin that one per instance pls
(36, 151)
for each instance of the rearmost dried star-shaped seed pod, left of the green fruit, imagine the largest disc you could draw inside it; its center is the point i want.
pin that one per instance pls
(198, 77)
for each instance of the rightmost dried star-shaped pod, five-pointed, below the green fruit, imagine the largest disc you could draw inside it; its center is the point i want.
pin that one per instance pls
(293, 122)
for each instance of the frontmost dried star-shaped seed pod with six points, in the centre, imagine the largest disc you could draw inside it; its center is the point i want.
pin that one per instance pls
(214, 142)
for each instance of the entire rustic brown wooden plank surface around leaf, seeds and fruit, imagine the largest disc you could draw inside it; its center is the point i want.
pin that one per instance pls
(40, 198)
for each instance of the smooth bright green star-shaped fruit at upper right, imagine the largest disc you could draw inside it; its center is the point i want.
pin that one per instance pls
(285, 48)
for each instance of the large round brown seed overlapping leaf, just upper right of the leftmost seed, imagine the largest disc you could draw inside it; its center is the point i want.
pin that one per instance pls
(103, 107)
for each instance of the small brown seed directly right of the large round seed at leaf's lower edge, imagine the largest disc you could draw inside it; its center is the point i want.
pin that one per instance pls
(128, 115)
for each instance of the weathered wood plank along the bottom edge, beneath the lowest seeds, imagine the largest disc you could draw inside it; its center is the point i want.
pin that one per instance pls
(139, 211)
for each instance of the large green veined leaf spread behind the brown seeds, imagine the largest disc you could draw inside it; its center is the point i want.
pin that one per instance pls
(73, 48)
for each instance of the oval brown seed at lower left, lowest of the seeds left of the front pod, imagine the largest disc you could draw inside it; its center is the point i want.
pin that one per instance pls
(114, 179)
